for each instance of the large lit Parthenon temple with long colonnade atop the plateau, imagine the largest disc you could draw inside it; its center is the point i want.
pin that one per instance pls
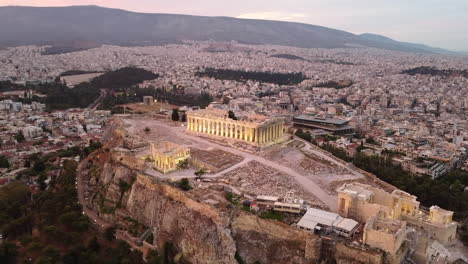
(256, 130)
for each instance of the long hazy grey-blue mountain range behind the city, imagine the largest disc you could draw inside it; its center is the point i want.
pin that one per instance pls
(55, 25)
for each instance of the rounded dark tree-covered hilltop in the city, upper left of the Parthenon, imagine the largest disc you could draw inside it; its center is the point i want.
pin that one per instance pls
(123, 78)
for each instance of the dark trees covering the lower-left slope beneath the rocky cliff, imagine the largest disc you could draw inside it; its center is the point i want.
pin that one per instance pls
(63, 233)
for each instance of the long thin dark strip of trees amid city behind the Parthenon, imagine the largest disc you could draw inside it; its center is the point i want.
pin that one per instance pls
(266, 77)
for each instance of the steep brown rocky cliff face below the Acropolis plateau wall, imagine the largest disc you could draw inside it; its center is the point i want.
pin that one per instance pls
(203, 233)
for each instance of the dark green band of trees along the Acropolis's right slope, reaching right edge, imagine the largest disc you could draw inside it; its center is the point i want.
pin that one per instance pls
(446, 192)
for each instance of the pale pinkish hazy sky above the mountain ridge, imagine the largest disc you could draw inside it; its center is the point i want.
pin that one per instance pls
(440, 23)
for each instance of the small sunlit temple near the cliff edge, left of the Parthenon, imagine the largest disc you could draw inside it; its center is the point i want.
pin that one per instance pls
(167, 155)
